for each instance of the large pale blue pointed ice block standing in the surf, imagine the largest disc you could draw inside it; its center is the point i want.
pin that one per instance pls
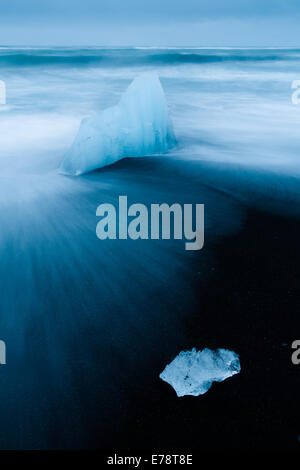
(138, 126)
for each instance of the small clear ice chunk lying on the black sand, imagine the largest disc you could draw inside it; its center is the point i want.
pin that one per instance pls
(193, 372)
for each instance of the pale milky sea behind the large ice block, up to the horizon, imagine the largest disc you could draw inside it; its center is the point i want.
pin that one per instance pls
(232, 105)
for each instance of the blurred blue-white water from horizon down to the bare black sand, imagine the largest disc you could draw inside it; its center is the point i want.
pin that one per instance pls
(83, 319)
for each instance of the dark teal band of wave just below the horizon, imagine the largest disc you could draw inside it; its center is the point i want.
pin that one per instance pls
(68, 57)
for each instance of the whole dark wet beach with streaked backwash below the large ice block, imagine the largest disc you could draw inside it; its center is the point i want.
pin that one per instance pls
(89, 325)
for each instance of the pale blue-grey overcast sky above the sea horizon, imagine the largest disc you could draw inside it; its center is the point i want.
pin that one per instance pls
(155, 22)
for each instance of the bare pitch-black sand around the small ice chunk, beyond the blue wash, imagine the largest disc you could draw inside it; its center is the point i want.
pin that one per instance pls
(250, 305)
